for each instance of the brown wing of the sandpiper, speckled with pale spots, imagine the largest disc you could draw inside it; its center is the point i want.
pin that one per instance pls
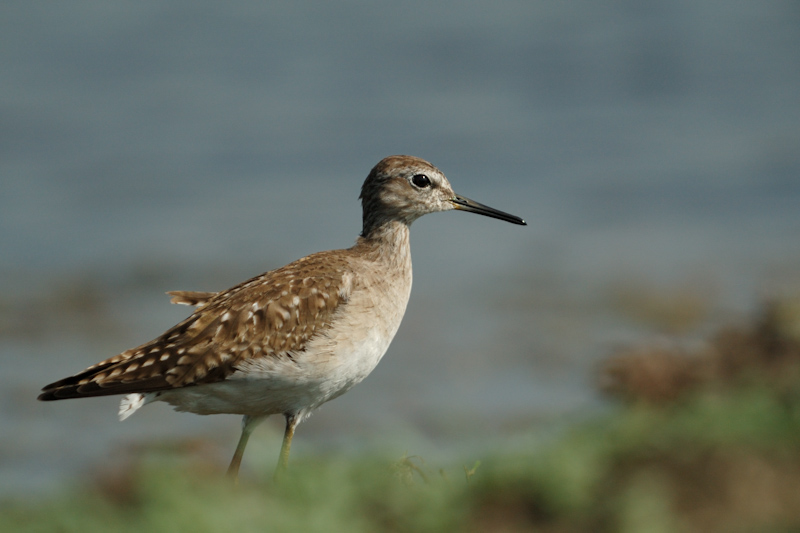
(272, 315)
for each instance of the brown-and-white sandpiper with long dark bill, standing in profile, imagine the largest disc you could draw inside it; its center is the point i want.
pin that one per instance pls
(291, 339)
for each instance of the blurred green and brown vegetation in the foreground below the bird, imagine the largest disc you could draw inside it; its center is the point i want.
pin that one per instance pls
(717, 449)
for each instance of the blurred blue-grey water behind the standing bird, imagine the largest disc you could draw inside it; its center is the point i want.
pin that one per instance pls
(150, 146)
